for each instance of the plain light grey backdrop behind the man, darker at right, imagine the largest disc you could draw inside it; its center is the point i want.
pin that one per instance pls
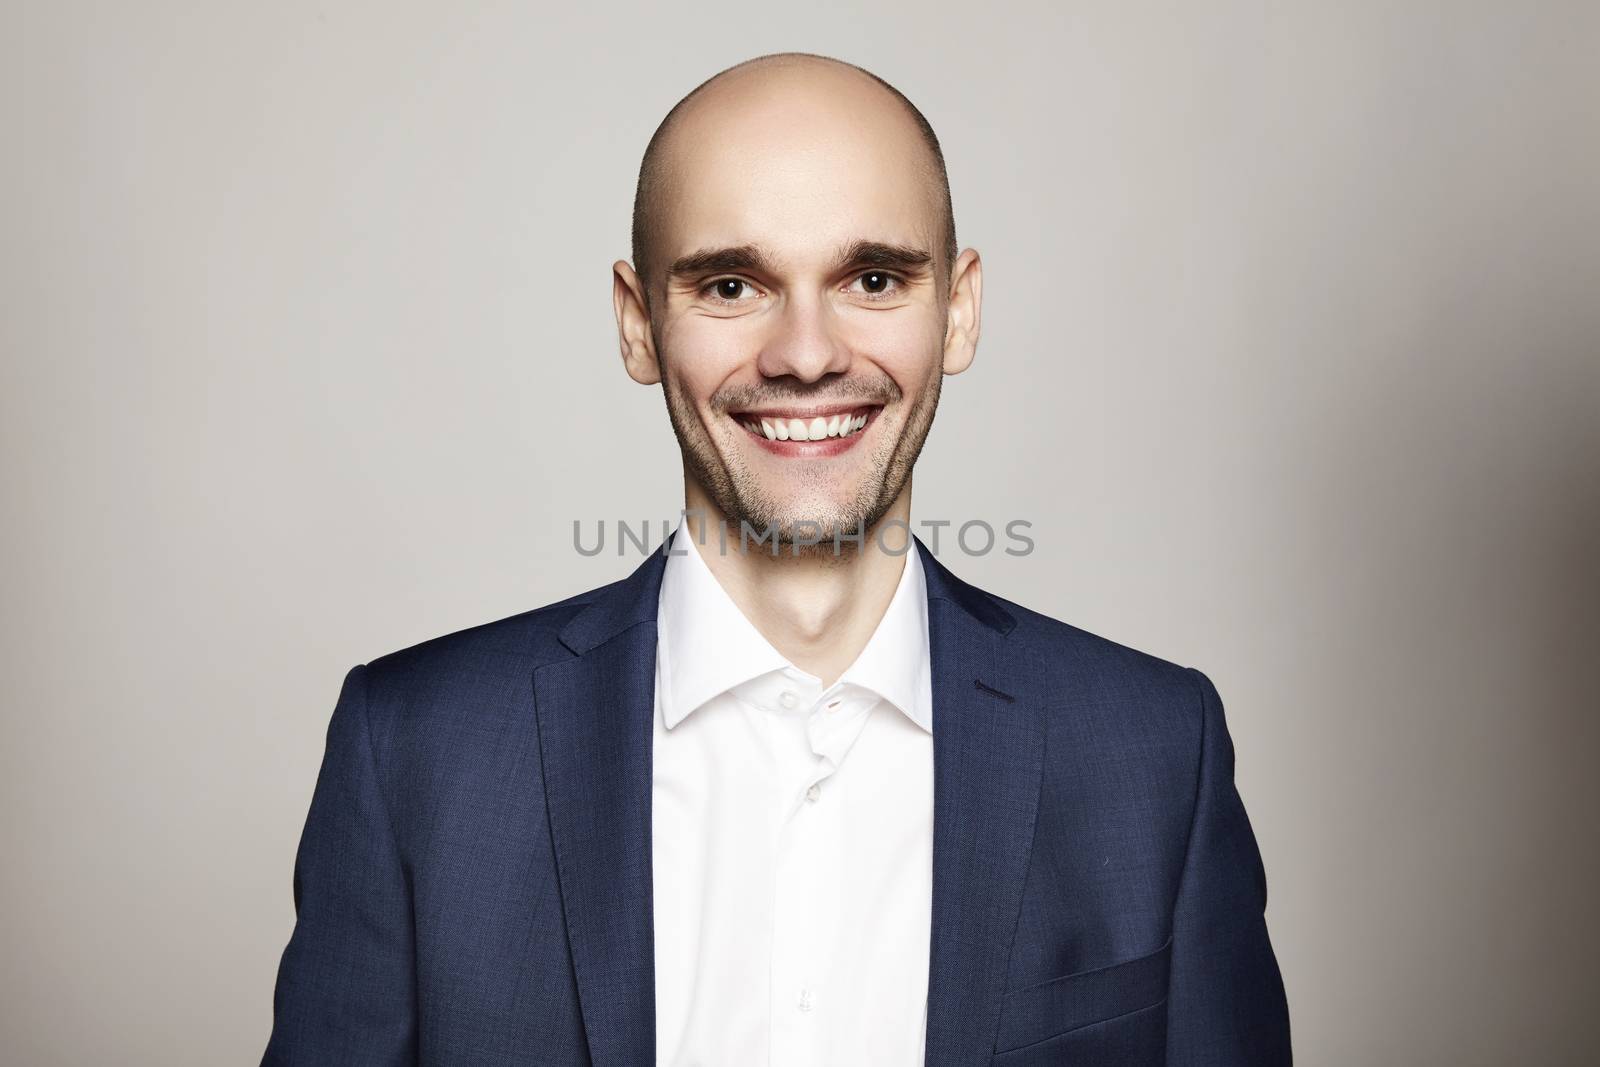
(1292, 358)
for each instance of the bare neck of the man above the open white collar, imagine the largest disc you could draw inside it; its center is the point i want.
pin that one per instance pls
(817, 609)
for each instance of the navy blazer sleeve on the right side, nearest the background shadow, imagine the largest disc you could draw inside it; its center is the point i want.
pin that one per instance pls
(1226, 1004)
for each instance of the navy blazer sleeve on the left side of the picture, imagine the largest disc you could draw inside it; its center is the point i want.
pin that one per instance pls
(346, 988)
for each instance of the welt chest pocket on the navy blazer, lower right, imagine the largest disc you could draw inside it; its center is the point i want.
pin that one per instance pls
(1047, 1010)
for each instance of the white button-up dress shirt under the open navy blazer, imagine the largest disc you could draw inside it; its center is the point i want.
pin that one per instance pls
(793, 834)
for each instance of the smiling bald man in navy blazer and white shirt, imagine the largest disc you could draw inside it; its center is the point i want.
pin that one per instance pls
(814, 805)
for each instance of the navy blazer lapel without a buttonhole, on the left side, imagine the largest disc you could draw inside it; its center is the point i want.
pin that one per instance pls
(596, 717)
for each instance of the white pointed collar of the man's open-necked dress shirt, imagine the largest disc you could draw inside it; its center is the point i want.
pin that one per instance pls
(706, 645)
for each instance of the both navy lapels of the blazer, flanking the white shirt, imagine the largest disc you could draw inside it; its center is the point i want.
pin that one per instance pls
(594, 716)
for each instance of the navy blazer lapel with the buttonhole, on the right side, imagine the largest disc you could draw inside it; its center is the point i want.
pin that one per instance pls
(988, 759)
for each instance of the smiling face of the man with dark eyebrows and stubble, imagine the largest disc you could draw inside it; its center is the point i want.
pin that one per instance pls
(801, 318)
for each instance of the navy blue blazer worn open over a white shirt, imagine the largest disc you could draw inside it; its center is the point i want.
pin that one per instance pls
(474, 879)
